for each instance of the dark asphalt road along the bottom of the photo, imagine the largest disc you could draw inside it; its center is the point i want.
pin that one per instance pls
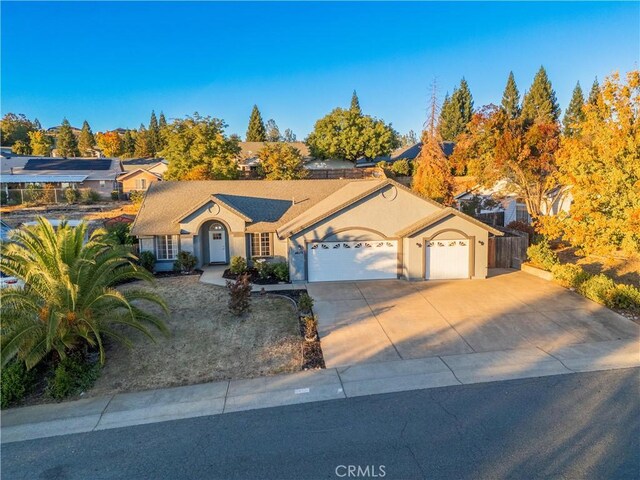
(566, 426)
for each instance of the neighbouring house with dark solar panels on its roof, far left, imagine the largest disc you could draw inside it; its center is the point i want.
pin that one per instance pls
(25, 172)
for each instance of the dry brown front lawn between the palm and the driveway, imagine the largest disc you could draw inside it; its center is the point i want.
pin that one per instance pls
(207, 343)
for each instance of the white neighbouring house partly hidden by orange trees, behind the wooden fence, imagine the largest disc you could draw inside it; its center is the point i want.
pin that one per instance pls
(504, 207)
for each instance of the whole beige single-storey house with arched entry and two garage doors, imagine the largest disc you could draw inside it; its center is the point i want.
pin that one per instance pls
(324, 229)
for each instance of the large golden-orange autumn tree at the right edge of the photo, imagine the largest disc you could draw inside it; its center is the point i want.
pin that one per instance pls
(601, 165)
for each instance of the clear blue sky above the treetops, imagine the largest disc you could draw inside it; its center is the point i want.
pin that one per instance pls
(112, 63)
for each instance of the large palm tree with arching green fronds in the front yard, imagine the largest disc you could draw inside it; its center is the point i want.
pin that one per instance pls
(70, 300)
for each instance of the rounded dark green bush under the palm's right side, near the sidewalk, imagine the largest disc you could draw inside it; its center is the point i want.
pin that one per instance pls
(74, 374)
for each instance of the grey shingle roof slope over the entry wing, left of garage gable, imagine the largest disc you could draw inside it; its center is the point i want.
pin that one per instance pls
(268, 203)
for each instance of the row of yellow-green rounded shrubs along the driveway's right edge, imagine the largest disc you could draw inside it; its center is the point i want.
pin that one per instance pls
(598, 288)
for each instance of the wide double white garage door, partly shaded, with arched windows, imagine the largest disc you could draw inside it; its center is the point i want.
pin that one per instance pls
(333, 261)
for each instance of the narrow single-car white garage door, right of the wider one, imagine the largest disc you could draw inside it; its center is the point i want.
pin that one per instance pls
(447, 259)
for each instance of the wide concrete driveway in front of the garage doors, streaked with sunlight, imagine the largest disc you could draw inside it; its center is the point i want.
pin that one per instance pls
(382, 320)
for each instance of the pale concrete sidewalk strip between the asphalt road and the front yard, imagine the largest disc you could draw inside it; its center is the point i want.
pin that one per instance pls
(161, 405)
